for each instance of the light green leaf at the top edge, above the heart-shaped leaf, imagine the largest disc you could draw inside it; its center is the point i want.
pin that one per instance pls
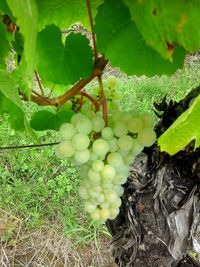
(64, 13)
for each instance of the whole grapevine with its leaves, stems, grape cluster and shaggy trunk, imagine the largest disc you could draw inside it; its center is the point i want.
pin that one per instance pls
(133, 173)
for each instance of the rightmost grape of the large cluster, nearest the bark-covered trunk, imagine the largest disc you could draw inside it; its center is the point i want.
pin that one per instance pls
(147, 137)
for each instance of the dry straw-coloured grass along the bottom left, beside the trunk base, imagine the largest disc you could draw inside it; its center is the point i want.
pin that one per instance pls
(47, 248)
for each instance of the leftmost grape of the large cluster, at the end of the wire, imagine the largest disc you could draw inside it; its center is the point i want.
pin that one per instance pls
(64, 150)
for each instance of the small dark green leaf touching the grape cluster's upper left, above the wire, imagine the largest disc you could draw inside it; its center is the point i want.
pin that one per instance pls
(44, 119)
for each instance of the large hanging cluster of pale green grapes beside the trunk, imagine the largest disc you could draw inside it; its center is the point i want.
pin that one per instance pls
(104, 153)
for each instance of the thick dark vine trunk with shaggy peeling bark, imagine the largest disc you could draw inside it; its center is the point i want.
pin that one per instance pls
(159, 220)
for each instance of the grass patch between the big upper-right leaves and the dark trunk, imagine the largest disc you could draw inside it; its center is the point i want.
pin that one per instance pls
(140, 92)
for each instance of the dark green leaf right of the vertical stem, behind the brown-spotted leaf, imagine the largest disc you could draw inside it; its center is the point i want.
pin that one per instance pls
(121, 42)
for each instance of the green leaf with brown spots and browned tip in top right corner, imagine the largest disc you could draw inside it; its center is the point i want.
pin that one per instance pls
(164, 22)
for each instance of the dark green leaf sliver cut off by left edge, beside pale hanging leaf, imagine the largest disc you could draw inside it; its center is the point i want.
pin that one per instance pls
(4, 44)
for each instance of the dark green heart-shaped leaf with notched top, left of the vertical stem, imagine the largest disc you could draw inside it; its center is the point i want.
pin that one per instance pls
(63, 64)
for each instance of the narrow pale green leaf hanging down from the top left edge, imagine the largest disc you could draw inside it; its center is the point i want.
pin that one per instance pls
(26, 15)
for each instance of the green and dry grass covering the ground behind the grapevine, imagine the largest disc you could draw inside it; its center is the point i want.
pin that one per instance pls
(38, 196)
